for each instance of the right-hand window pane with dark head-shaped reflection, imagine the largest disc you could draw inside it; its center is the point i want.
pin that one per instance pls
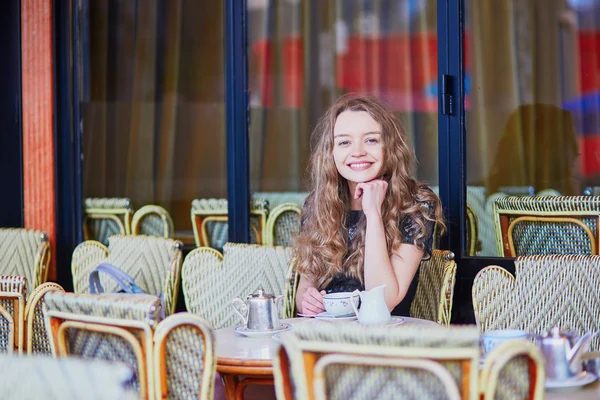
(532, 100)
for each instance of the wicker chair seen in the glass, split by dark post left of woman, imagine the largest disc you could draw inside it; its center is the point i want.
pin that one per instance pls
(209, 221)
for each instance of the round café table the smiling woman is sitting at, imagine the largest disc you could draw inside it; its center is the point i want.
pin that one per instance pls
(243, 361)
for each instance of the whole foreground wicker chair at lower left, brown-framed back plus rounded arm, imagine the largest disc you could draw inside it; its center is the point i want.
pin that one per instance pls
(172, 359)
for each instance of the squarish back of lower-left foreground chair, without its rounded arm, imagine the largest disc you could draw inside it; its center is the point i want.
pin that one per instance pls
(112, 327)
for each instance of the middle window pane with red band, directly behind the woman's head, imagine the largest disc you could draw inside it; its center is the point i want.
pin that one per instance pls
(304, 54)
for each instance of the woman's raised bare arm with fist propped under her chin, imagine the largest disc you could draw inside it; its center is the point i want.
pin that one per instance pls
(397, 271)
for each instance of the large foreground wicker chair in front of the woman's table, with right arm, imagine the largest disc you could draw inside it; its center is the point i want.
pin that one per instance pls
(349, 361)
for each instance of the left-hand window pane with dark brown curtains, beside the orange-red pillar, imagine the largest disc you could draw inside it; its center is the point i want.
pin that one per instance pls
(152, 103)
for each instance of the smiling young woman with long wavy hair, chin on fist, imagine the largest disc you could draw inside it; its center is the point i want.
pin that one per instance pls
(366, 221)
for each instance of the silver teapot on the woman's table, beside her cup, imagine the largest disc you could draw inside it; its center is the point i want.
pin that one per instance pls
(260, 311)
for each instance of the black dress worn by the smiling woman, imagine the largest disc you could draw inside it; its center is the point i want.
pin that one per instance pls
(409, 230)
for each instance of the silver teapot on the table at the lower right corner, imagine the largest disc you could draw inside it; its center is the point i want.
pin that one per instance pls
(563, 352)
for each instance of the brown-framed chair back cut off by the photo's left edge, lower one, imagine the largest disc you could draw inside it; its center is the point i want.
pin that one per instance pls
(12, 289)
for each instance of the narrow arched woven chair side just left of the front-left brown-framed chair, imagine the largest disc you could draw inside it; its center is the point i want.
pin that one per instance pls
(38, 341)
